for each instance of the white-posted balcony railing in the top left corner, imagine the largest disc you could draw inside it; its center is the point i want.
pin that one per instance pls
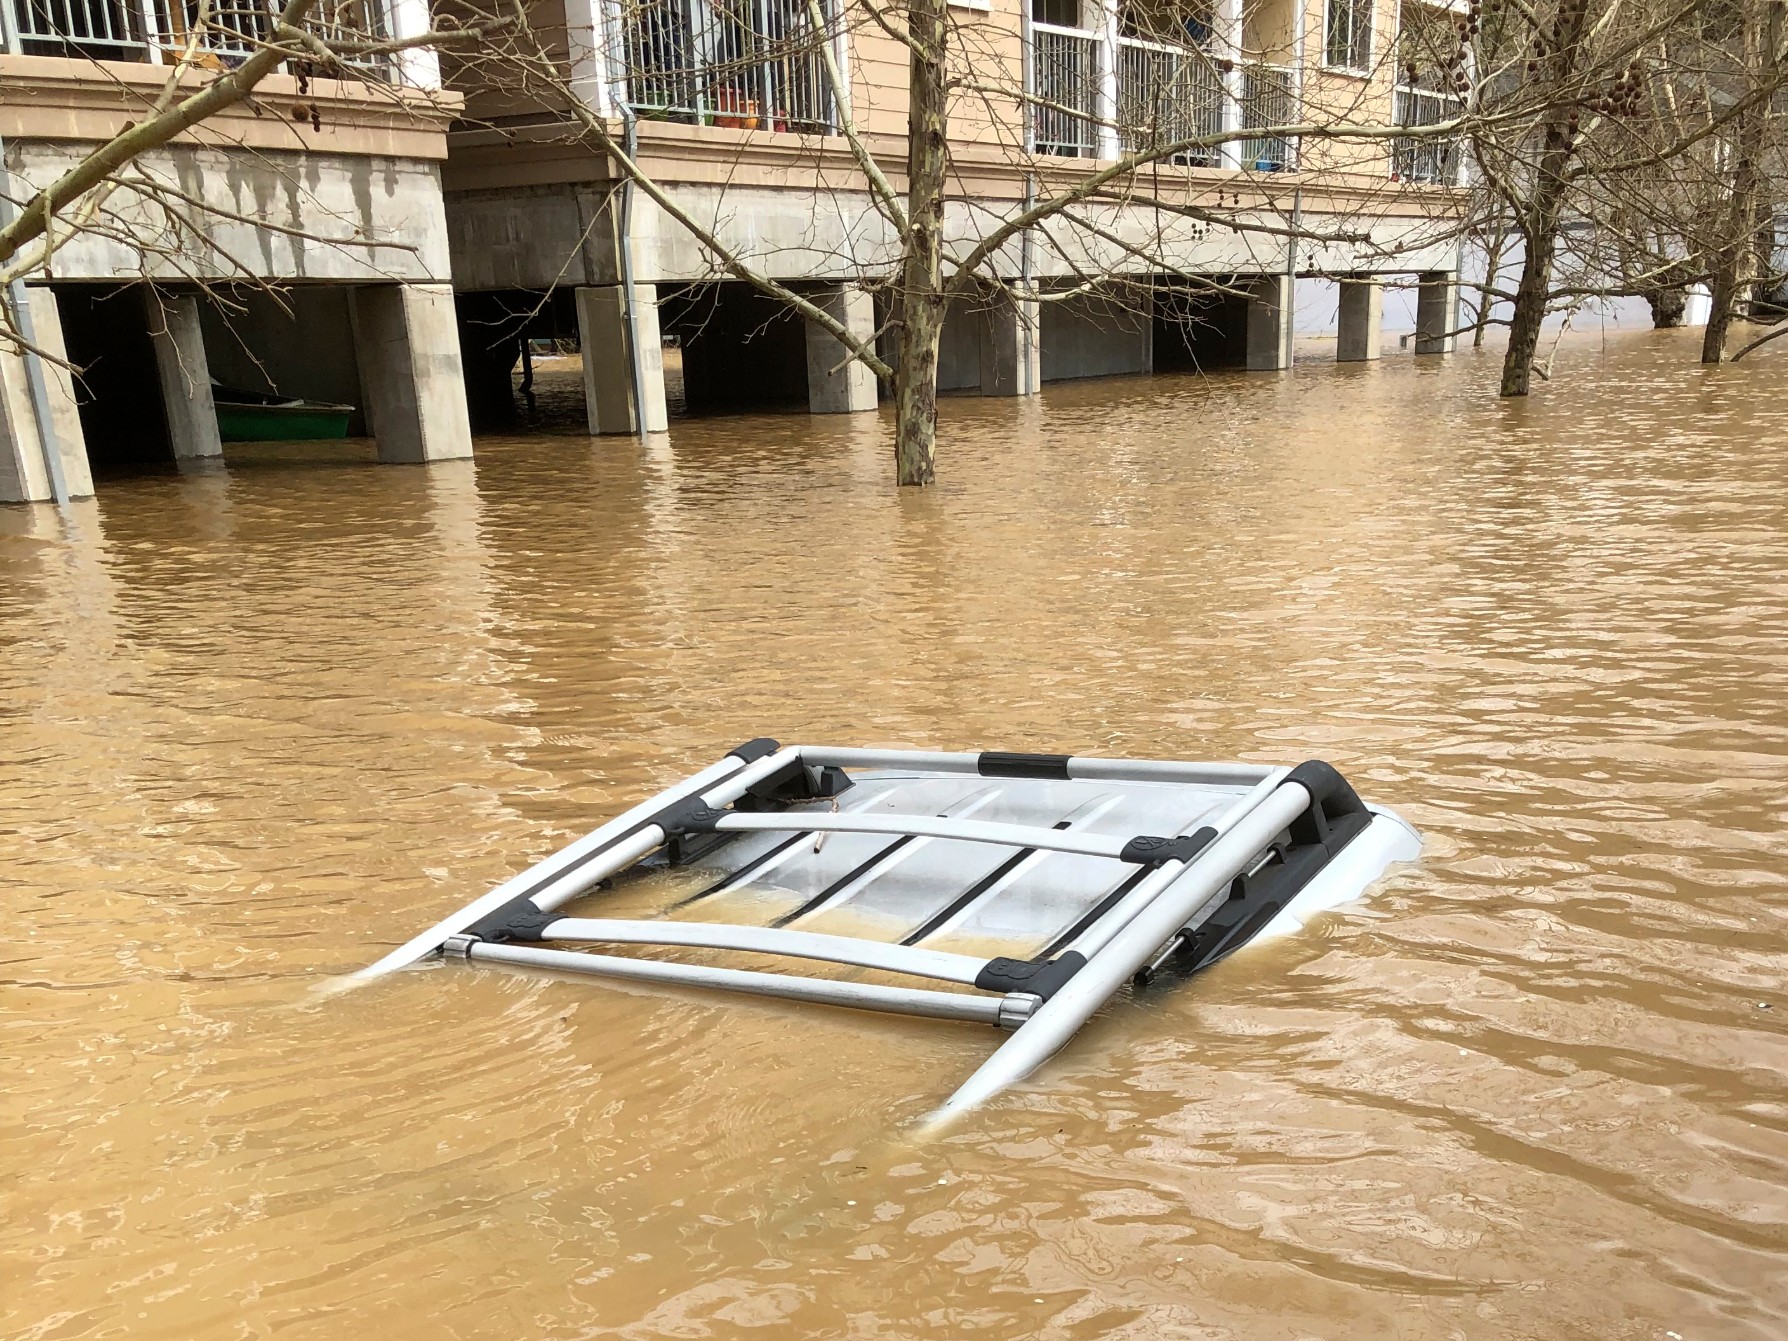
(151, 30)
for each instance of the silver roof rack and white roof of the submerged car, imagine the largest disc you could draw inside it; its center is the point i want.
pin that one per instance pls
(1093, 872)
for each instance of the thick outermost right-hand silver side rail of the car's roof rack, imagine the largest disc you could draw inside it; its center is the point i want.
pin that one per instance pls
(1056, 1022)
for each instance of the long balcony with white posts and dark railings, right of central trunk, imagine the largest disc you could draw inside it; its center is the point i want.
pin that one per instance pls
(1092, 101)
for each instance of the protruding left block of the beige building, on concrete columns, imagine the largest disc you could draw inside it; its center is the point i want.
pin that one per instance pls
(328, 189)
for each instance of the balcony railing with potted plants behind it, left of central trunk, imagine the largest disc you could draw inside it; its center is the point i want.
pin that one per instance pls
(752, 65)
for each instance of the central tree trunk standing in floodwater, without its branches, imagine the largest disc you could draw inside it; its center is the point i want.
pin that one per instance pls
(922, 296)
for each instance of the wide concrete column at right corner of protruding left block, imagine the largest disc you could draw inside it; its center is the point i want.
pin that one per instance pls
(407, 344)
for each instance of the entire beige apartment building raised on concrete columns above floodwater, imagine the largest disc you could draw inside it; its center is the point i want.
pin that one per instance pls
(362, 240)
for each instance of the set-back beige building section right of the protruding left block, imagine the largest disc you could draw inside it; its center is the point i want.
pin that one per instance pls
(736, 121)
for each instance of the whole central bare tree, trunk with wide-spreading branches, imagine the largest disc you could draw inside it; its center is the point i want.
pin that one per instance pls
(1138, 158)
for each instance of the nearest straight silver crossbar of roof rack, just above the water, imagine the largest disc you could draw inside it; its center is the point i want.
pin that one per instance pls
(825, 991)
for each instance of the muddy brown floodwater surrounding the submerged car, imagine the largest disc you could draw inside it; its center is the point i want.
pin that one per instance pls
(262, 725)
